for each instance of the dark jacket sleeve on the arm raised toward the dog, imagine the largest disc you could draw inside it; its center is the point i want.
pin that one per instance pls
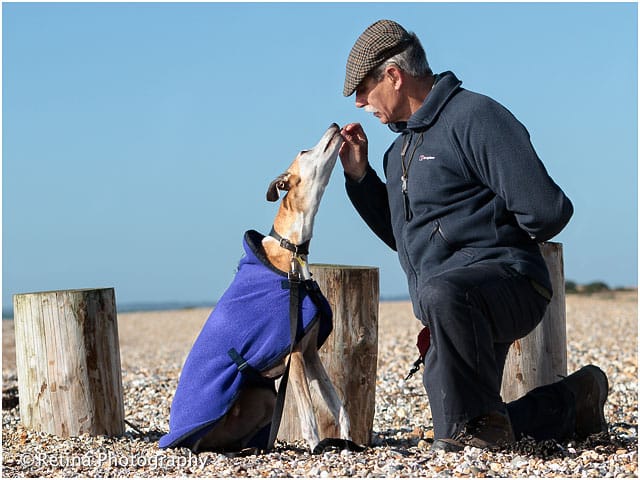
(369, 197)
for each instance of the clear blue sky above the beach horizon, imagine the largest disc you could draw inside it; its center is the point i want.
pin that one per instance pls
(139, 139)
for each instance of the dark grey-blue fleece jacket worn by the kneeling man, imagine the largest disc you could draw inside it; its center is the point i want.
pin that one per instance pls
(476, 190)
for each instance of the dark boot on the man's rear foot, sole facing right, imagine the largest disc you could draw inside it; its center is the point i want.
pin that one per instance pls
(590, 388)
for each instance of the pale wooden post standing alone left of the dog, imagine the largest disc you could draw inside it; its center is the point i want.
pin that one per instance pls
(68, 362)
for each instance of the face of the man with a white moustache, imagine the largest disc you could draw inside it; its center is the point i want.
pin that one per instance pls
(379, 97)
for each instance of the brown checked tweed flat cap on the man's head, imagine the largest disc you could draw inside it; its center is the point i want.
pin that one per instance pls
(379, 42)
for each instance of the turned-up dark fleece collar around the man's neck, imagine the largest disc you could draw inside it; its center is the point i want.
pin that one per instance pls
(447, 85)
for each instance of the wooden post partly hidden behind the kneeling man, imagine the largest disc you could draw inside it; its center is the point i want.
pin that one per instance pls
(540, 357)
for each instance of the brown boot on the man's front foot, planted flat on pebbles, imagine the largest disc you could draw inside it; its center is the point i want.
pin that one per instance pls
(489, 431)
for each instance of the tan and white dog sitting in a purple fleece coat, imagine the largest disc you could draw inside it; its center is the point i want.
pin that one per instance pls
(226, 394)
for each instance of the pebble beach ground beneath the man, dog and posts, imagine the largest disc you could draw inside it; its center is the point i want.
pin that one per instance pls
(601, 329)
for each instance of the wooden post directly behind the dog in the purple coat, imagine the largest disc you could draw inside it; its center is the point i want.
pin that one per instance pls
(349, 355)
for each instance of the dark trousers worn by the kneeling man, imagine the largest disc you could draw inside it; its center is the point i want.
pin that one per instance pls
(474, 313)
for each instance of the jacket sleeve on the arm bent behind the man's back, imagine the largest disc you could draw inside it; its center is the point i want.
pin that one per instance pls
(499, 152)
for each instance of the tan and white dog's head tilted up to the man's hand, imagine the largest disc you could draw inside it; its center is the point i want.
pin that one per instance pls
(308, 175)
